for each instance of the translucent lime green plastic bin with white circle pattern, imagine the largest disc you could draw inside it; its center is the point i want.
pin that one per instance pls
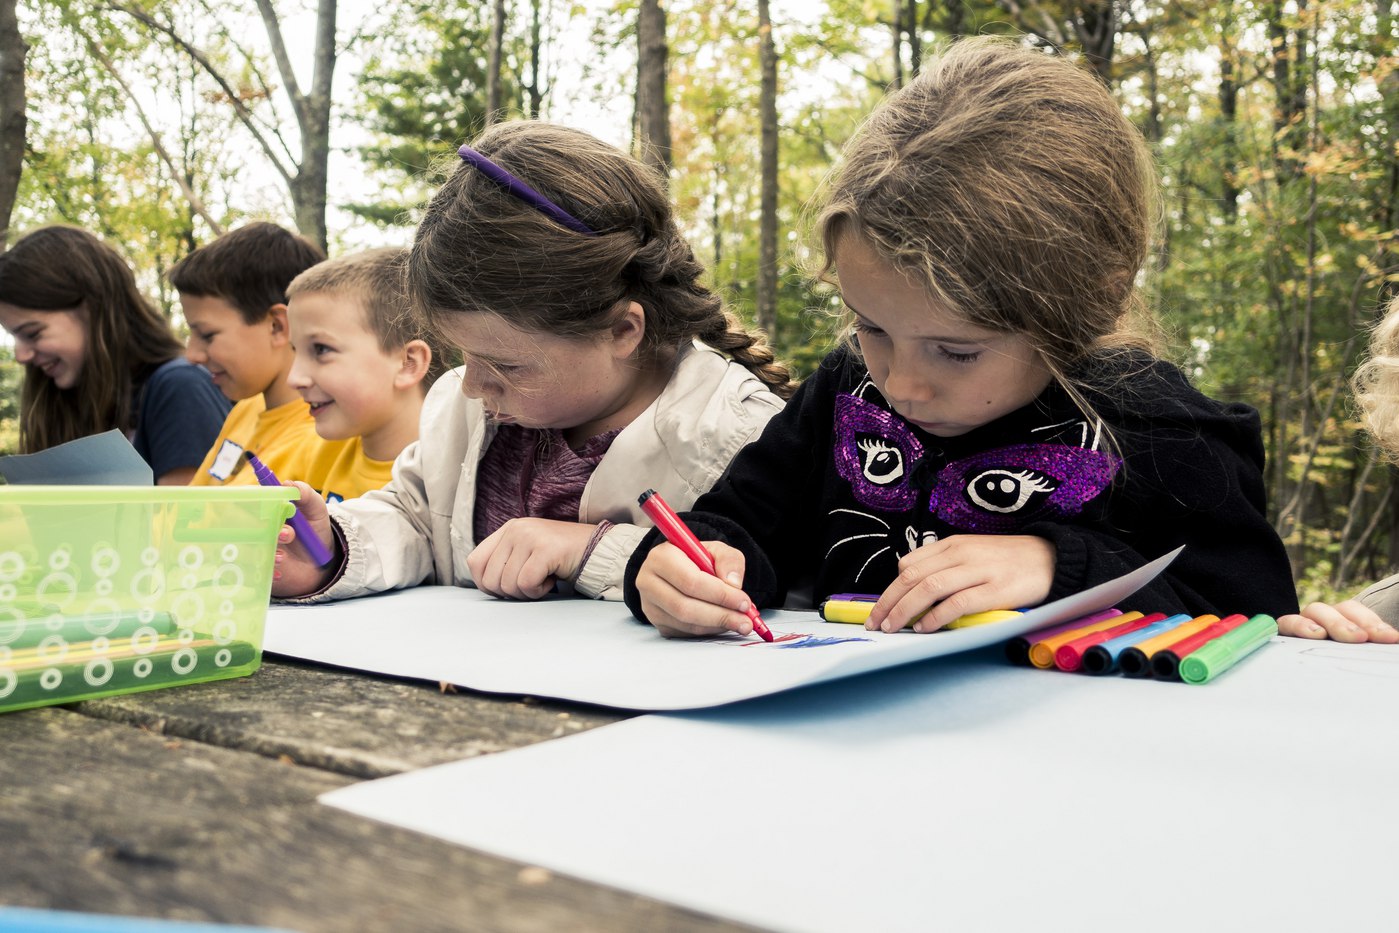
(120, 590)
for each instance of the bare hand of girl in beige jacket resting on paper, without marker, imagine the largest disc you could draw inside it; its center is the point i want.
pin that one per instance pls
(524, 557)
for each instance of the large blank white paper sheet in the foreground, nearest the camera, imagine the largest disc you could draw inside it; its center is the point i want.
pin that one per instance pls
(967, 795)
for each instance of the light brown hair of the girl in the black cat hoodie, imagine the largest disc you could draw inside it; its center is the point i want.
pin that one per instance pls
(1012, 188)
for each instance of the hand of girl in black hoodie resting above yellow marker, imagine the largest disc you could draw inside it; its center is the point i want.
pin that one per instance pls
(965, 574)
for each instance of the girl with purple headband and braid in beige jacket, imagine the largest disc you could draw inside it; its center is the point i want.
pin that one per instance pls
(597, 366)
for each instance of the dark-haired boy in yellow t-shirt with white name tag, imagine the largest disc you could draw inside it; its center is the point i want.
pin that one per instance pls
(234, 296)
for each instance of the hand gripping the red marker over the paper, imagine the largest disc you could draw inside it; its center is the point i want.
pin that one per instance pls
(682, 601)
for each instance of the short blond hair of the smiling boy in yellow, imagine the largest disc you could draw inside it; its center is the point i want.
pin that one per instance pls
(377, 279)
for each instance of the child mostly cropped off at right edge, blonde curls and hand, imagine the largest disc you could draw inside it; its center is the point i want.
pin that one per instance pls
(1373, 616)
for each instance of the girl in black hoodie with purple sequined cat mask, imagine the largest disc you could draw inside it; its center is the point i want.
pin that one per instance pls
(998, 434)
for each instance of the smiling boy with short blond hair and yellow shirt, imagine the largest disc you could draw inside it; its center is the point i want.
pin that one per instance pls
(363, 363)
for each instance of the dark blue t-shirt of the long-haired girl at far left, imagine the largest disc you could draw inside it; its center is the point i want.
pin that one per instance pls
(180, 413)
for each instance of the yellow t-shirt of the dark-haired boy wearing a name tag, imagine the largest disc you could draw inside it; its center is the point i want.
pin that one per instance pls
(285, 439)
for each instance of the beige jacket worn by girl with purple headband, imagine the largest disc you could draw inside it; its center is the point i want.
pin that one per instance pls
(420, 527)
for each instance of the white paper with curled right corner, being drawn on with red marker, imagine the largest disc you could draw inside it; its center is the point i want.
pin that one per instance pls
(594, 653)
